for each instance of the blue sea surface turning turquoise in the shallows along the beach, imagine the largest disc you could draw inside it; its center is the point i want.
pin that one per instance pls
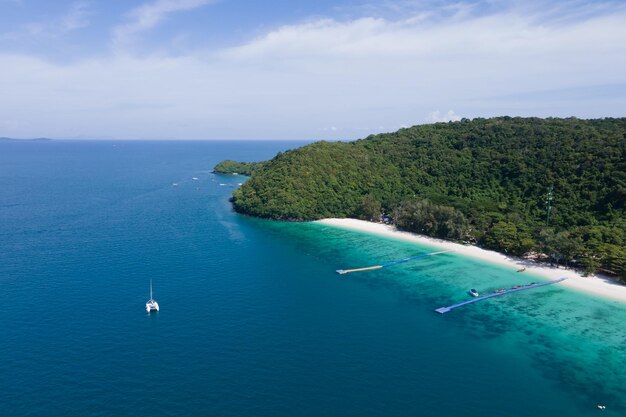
(254, 320)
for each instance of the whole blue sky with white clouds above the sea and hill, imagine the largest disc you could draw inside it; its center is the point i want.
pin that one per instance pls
(324, 69)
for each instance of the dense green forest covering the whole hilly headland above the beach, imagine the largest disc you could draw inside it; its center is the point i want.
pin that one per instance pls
(553, 186)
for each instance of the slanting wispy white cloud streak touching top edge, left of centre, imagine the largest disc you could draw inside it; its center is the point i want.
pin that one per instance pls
(149, 15)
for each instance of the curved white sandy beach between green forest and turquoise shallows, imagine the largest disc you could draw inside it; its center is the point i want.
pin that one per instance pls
(599, 285)
